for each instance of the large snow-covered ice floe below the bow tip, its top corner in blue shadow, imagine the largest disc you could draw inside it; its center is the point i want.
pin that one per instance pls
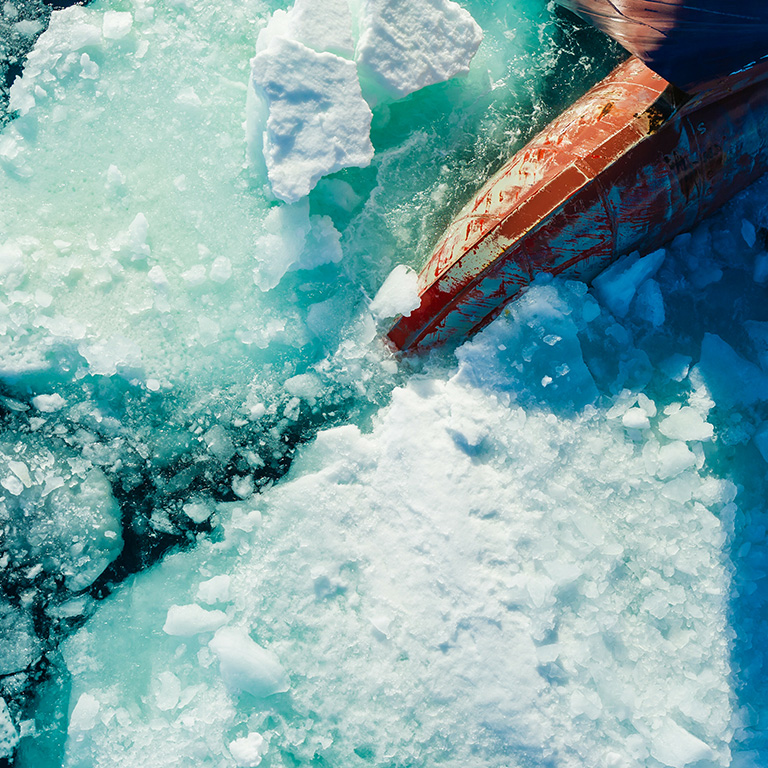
(477, 581)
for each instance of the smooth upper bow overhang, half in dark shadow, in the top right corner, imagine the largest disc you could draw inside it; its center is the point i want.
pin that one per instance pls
(688, 42)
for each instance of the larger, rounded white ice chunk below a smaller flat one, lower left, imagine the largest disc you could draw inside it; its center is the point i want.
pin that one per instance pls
(246, 666)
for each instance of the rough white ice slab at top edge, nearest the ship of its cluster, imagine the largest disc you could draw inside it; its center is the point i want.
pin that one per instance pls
(405, 45)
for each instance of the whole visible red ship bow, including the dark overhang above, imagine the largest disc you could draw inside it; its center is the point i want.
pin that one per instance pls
(664, 140)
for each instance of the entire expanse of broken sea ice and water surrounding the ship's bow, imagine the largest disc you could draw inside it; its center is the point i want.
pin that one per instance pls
(237, 530)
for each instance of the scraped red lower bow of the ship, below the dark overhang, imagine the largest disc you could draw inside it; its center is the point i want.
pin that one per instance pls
(613, 174)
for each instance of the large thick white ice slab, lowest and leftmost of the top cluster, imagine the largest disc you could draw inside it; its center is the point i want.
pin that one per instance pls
(318, 121)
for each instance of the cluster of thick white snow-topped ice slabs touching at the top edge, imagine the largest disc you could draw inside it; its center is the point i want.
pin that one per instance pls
(307, 114)
